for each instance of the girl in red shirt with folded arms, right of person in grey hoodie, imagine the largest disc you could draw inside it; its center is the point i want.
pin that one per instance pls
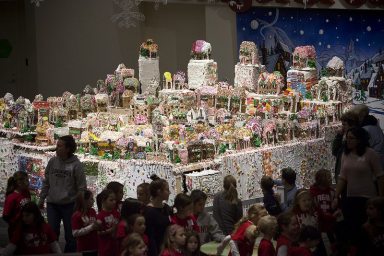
(84, 224)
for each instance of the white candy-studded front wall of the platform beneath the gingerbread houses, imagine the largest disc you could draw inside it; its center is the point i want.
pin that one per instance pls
(306, 157)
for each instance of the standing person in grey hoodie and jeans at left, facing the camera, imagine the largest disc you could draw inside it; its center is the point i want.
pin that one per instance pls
(64, 180)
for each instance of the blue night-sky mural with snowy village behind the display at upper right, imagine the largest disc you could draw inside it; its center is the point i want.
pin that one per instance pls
(357, 37)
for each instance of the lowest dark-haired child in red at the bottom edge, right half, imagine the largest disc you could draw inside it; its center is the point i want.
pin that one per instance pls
(309, 238)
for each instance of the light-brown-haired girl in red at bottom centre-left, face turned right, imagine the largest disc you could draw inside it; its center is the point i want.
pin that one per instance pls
(174, 241)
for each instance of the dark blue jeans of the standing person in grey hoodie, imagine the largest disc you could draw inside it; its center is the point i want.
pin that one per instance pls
(56, 213)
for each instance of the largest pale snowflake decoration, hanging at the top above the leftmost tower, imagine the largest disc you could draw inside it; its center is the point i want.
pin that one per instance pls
(129, 15)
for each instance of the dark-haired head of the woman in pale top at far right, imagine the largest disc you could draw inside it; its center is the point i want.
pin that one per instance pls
(357, 141)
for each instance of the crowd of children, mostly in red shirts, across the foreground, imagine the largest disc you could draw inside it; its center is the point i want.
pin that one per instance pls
(307, 223)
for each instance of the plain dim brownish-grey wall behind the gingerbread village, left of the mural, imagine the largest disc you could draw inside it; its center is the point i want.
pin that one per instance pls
(76, 42)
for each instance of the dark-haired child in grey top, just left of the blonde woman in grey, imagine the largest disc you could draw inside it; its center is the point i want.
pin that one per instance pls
(209, 229)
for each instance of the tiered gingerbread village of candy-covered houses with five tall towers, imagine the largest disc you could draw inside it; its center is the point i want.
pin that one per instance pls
(173, 121)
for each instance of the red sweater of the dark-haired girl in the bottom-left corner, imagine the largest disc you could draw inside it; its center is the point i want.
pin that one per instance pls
(33, 240)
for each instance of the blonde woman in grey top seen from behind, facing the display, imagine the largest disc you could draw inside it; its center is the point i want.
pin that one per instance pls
(227, 207)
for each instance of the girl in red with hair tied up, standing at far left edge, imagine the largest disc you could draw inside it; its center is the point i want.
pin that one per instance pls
(17, 195)
